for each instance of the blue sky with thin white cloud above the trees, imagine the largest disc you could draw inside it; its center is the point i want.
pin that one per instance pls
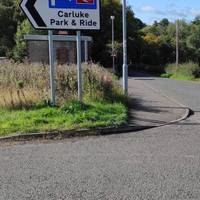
(154, 10)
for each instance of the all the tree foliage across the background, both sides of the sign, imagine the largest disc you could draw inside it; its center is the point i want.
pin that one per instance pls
(152, 45)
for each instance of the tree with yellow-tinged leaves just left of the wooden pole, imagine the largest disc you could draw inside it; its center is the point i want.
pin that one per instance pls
(157, 43)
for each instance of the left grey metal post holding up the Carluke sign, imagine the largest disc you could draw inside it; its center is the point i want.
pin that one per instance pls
(52, 70)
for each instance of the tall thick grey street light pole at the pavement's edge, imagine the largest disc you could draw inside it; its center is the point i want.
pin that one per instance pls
(125, 66)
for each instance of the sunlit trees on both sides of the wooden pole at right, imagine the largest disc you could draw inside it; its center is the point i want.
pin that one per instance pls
(160, 42)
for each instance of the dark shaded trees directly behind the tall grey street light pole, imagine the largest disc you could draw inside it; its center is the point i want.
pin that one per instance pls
(102, 38)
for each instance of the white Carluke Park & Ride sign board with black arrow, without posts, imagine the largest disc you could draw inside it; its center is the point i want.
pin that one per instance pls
(63, 14)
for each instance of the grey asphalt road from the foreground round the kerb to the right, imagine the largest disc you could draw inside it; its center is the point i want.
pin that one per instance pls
(161, 163)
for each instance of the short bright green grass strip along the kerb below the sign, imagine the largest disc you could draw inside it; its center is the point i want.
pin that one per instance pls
(73, 115)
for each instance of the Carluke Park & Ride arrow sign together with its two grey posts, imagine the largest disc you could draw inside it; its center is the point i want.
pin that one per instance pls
(63, 15)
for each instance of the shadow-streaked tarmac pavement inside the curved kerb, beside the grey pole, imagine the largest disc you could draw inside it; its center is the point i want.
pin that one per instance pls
(151, 107)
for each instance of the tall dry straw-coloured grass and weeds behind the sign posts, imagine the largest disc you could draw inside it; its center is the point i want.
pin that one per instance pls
(26, 85)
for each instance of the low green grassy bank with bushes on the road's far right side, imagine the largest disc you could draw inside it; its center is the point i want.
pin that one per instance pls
(187, 71)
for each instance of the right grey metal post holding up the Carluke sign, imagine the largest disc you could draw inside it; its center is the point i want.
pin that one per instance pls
(79, 70)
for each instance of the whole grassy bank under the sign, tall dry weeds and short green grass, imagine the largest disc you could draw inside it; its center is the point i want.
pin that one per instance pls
(24, 100)
